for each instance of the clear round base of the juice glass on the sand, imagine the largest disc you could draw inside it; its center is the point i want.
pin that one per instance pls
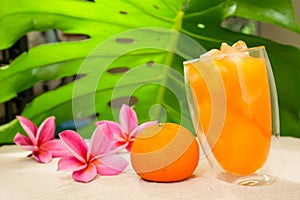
(249, 180)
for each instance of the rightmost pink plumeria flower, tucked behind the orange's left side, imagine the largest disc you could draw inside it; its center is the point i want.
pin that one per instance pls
(124, 133)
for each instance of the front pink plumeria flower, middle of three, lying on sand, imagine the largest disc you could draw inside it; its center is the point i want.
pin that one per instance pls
(100, 158)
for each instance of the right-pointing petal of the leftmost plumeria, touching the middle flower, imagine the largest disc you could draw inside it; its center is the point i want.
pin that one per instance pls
(56, 147)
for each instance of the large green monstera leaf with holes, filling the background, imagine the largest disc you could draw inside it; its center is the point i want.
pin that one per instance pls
(133, 54)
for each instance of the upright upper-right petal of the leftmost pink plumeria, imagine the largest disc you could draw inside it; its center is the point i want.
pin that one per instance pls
(46, 131)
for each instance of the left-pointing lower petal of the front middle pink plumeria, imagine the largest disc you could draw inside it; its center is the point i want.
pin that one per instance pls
(70, 163)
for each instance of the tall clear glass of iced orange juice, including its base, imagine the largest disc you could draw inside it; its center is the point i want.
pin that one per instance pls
(234, 108)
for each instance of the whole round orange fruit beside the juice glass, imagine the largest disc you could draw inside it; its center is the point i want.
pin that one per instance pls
(165, 152)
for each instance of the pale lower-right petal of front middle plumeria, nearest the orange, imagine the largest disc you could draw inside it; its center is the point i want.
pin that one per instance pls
(111, 165)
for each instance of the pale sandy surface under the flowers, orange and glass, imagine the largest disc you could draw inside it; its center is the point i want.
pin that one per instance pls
(23, 178)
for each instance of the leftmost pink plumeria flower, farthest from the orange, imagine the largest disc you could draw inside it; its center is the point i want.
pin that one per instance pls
(40, 140)
